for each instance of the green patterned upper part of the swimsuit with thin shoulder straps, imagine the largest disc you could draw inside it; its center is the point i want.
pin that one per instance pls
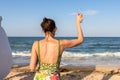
(46, 66)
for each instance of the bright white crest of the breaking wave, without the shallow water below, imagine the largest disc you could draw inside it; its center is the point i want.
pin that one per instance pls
(73, 54)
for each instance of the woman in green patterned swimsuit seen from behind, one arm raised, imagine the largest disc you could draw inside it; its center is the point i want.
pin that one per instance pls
(48, 51)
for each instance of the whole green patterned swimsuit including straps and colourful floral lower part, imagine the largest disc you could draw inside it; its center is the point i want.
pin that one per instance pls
(48, 71)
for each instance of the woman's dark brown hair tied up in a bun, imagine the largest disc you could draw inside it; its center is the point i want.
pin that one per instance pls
(48, 25)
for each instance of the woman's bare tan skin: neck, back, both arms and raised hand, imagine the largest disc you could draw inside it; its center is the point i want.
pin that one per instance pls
(49, 46)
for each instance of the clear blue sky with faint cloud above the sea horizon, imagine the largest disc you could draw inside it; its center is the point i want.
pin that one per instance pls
(23, 17)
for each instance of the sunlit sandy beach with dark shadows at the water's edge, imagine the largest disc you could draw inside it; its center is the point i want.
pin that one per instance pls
(70, 73)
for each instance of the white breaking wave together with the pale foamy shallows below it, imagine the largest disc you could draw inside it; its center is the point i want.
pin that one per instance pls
(73, 58)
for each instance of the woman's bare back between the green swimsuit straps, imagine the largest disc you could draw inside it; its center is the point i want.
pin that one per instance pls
(49, 51)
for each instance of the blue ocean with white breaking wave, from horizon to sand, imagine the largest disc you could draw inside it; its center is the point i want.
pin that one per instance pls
(93, 51)
